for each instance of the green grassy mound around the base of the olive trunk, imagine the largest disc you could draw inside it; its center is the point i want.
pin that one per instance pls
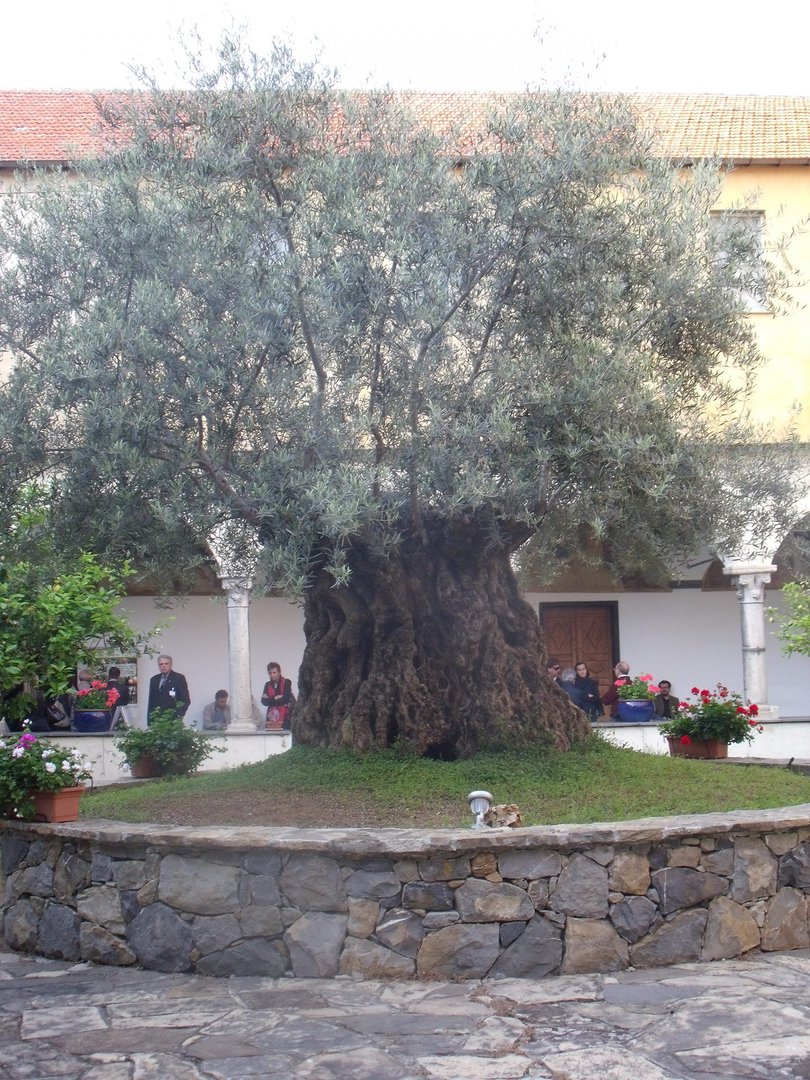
(595, 782)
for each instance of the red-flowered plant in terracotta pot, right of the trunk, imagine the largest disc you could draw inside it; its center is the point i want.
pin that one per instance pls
(706, 726)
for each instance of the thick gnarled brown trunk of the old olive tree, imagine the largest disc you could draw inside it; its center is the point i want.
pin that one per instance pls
(431, 649)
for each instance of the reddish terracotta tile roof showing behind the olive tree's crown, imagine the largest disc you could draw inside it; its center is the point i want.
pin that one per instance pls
(47, 127)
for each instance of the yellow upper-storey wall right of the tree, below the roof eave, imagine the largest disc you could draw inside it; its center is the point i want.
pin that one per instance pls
(782, 194)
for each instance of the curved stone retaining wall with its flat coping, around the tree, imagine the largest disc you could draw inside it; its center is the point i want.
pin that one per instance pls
(390, 903)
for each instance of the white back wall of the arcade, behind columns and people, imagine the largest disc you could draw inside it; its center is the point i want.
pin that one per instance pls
(688, 637)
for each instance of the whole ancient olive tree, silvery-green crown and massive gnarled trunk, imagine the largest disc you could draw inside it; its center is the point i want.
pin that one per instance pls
(398, 352)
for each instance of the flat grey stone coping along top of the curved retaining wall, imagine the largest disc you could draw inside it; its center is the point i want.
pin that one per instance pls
(403, 843)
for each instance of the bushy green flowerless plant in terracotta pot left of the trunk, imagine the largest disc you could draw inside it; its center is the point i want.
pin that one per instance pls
(168, 748)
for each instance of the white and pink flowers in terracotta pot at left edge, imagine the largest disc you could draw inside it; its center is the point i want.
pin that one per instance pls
(39, 779)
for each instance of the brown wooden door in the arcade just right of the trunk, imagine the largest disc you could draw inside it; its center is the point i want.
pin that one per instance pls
(584, 632)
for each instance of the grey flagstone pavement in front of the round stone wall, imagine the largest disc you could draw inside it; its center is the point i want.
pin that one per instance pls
(748, 1019)
